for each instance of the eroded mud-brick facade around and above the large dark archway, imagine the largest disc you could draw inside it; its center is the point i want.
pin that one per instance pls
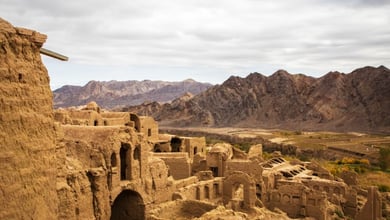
(98, 164)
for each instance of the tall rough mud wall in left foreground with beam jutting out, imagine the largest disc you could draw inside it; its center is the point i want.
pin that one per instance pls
(27, 134)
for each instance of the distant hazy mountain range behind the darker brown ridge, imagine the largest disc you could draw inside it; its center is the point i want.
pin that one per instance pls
(114, 94)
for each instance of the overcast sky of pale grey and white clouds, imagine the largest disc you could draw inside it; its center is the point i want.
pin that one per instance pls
(206, 40)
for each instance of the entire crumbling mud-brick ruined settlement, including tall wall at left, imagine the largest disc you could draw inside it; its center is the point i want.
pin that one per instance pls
(91, 164)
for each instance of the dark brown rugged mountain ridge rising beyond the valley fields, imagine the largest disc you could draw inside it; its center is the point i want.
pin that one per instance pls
(358, 101)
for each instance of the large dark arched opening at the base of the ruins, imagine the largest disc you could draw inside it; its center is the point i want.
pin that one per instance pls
(128, 205)
